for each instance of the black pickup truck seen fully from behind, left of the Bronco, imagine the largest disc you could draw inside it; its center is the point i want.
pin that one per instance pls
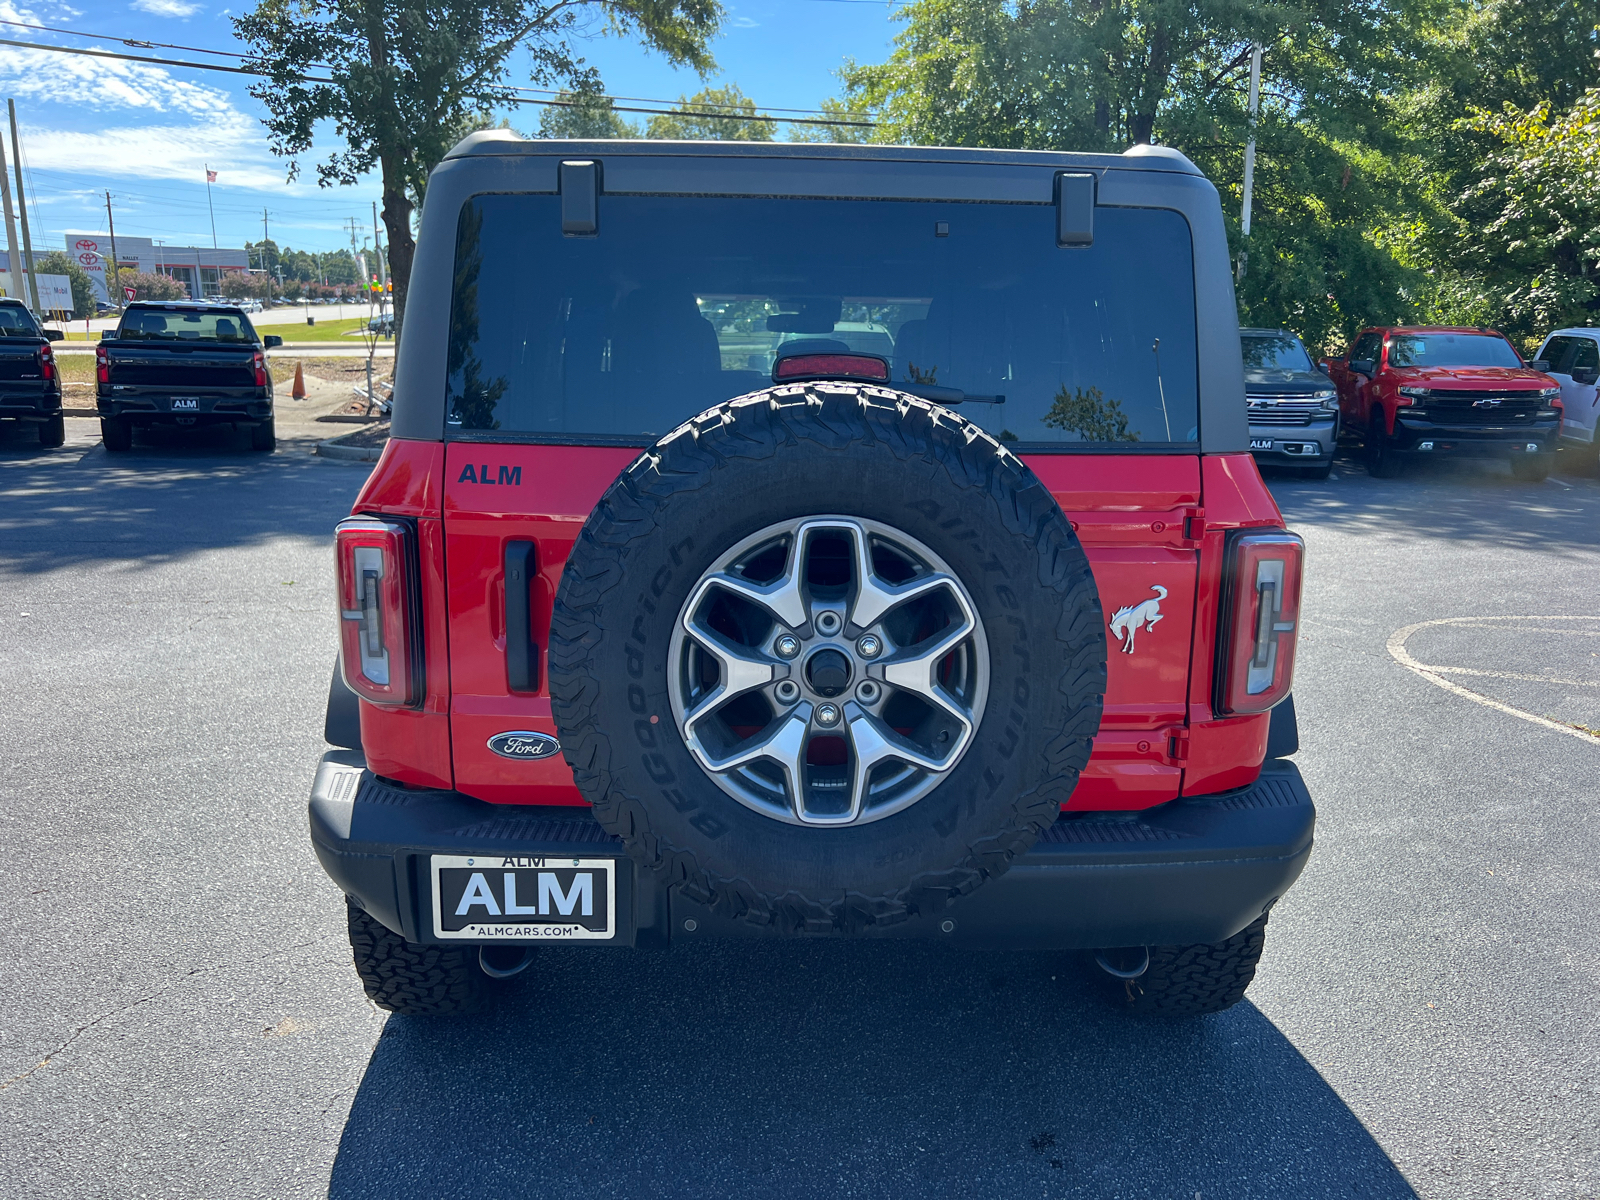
(183, 364)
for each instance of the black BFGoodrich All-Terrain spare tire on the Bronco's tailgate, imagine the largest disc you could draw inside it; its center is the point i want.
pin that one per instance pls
(854, 458)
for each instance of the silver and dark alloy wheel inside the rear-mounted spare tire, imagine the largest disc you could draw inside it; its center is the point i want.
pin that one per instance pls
(828, 735)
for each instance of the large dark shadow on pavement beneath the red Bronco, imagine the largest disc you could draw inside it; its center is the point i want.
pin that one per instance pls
(842, 1070)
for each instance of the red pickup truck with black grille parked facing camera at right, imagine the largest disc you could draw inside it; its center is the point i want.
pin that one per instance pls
(1431, 390)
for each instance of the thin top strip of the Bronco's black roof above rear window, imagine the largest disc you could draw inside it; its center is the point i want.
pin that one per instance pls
(508, 143)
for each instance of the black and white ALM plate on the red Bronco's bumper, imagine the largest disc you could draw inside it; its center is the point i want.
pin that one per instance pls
(521, 898)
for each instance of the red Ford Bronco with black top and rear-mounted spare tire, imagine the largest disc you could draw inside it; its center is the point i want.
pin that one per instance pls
(815, 542)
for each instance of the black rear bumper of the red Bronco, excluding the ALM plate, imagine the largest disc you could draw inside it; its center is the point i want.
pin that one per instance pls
(1193, 871)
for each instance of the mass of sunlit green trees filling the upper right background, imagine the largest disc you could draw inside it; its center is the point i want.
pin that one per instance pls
(1393, 182)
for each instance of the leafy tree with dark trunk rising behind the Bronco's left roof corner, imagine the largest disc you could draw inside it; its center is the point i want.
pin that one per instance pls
(407, 73)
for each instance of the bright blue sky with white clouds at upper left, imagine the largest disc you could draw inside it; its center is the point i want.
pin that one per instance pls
(146, 134)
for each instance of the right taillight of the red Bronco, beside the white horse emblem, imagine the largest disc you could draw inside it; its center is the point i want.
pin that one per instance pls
(1260, 622)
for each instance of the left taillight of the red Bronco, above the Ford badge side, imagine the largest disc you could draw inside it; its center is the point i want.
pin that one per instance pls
(380, 634)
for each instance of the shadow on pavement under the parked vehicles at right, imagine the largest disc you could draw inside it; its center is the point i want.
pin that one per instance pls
(1471, 502)
